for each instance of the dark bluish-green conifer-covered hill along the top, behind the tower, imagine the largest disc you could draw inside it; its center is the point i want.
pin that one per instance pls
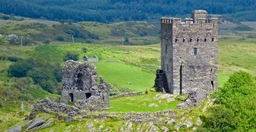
(125, 10)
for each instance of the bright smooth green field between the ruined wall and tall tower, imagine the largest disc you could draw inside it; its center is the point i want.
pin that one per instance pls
(125, 76)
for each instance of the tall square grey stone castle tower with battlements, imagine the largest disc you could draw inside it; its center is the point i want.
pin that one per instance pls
(189, 54)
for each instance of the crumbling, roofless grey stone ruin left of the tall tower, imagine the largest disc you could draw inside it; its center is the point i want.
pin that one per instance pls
(80, 86)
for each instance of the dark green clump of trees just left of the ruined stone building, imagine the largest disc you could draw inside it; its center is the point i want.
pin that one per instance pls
(47, 75)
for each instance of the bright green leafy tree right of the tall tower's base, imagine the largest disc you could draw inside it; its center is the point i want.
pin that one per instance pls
(234, 108)
